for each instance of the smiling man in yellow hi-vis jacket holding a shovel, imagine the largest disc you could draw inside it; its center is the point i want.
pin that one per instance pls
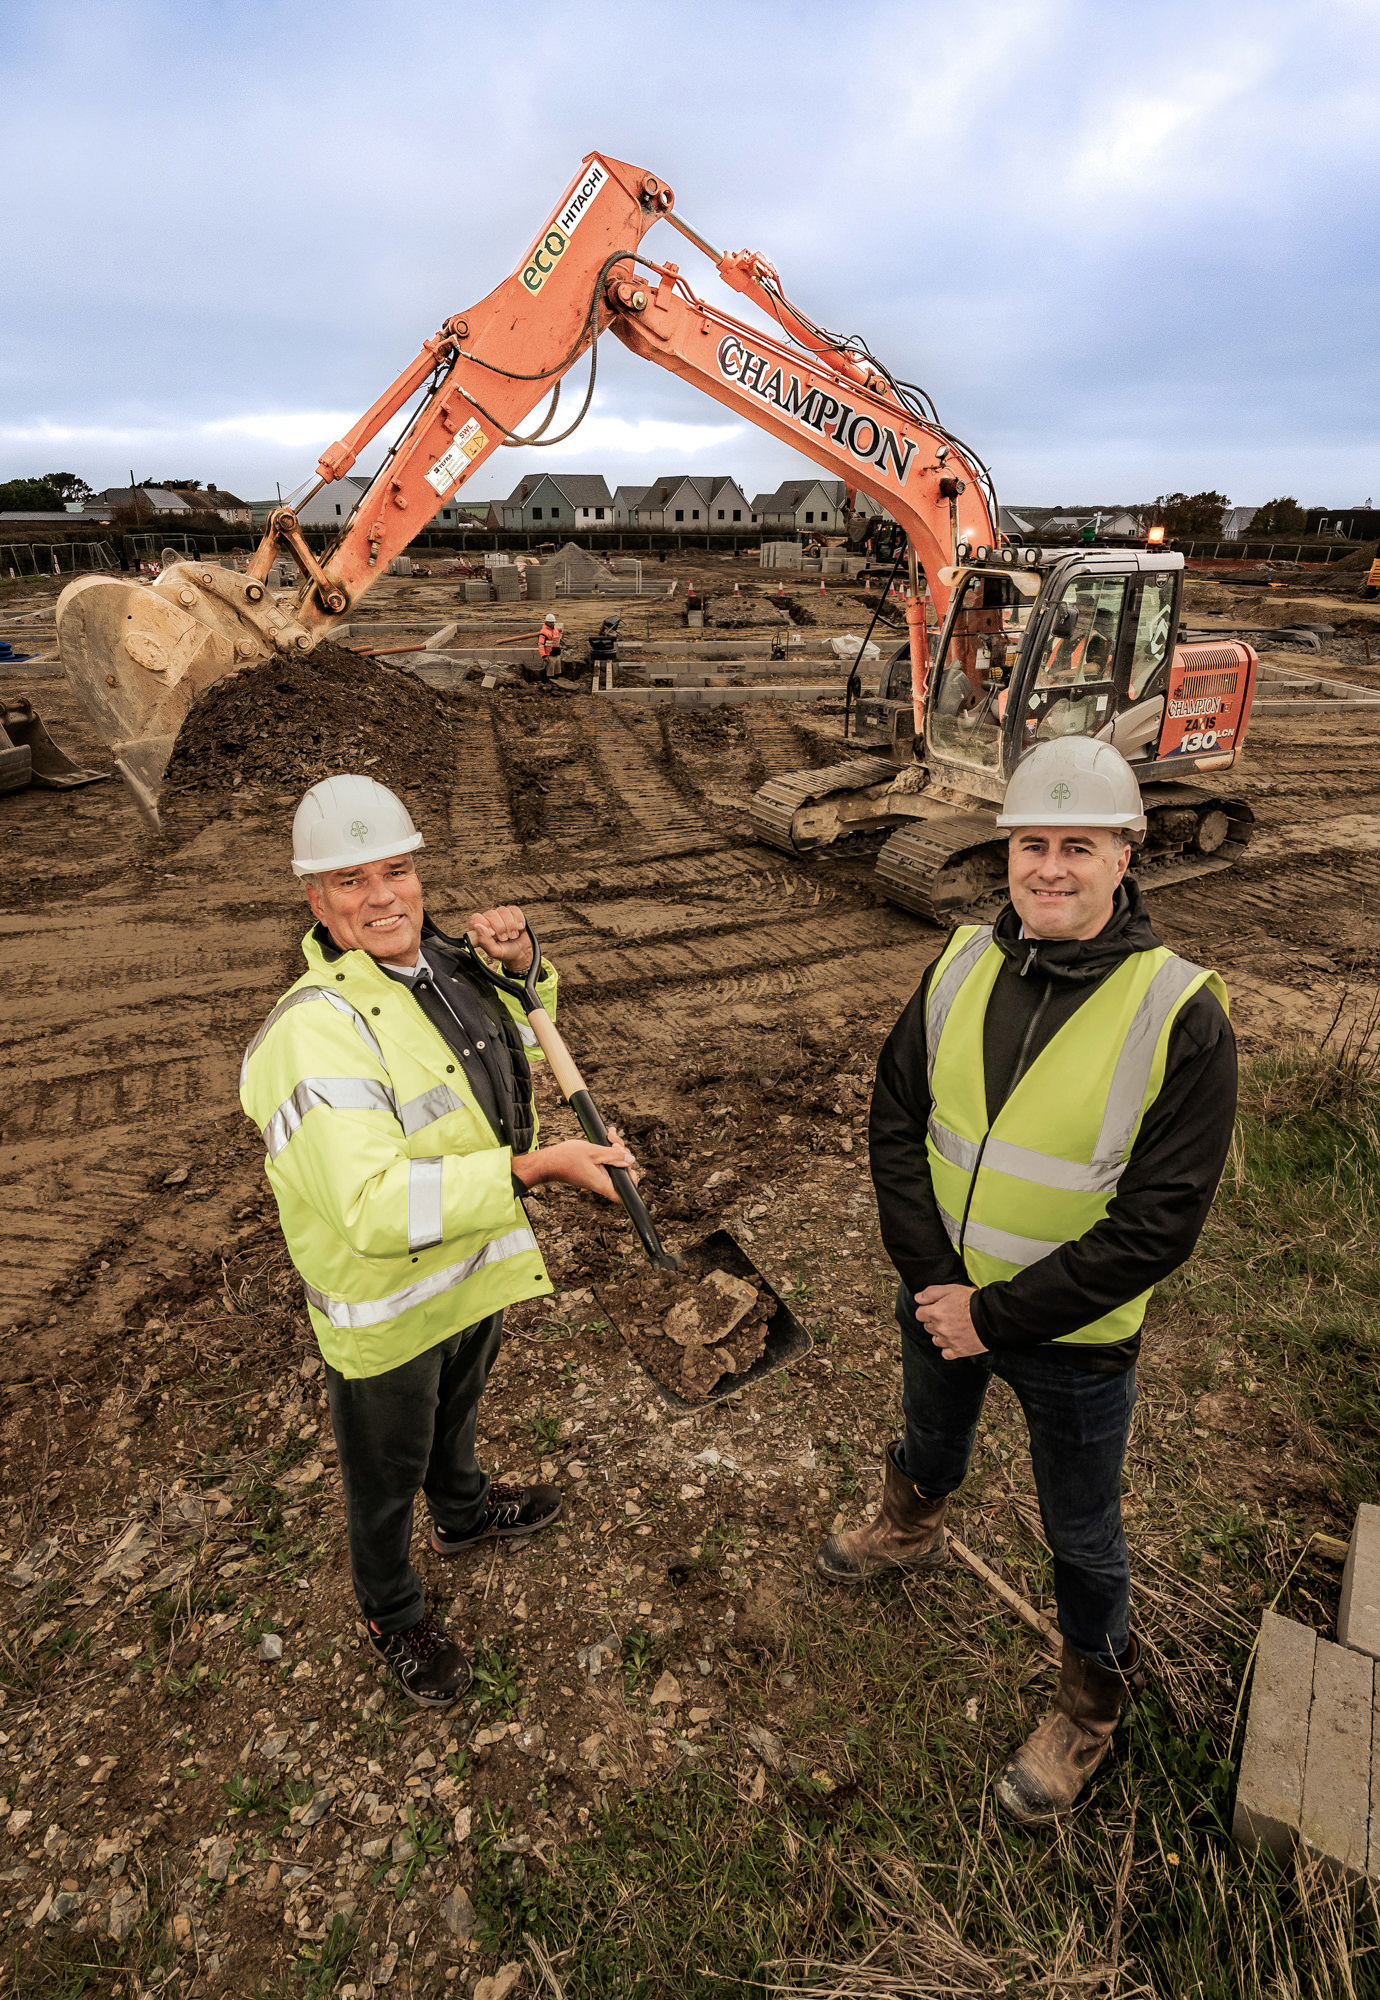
(395, 1099)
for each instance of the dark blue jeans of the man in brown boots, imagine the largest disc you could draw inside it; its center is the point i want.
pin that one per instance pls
(1079, 1425)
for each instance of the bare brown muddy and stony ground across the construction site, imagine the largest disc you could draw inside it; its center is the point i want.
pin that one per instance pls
(193, 1809)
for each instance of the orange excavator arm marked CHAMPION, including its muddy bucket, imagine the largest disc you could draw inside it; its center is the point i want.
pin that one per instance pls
(139, 659)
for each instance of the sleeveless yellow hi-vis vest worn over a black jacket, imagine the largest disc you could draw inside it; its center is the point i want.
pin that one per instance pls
(1047, 1169)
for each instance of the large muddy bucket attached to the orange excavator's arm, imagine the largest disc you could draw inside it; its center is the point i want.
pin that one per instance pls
(139, 661)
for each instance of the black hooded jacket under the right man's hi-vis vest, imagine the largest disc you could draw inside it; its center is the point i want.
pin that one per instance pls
(1165, 1191)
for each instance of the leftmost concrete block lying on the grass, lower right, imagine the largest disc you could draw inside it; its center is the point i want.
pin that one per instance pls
(1271, 1787)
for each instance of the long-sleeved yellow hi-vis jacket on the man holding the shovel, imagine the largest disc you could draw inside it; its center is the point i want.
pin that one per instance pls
(395, 1199)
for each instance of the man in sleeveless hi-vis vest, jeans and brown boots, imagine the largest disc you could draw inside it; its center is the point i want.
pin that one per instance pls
(1049, 1127)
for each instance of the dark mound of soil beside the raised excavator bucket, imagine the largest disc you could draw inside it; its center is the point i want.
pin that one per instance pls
(285, 723)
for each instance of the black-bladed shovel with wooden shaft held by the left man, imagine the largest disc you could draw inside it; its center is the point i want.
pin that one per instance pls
(719, 1253)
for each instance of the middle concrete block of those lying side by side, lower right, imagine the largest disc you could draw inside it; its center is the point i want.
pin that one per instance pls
(1337, 1777)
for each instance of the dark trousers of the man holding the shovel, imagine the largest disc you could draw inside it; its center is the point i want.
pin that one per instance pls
(405, 1431)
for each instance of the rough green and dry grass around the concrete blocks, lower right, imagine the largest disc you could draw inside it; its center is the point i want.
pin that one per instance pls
(879, 1837)
